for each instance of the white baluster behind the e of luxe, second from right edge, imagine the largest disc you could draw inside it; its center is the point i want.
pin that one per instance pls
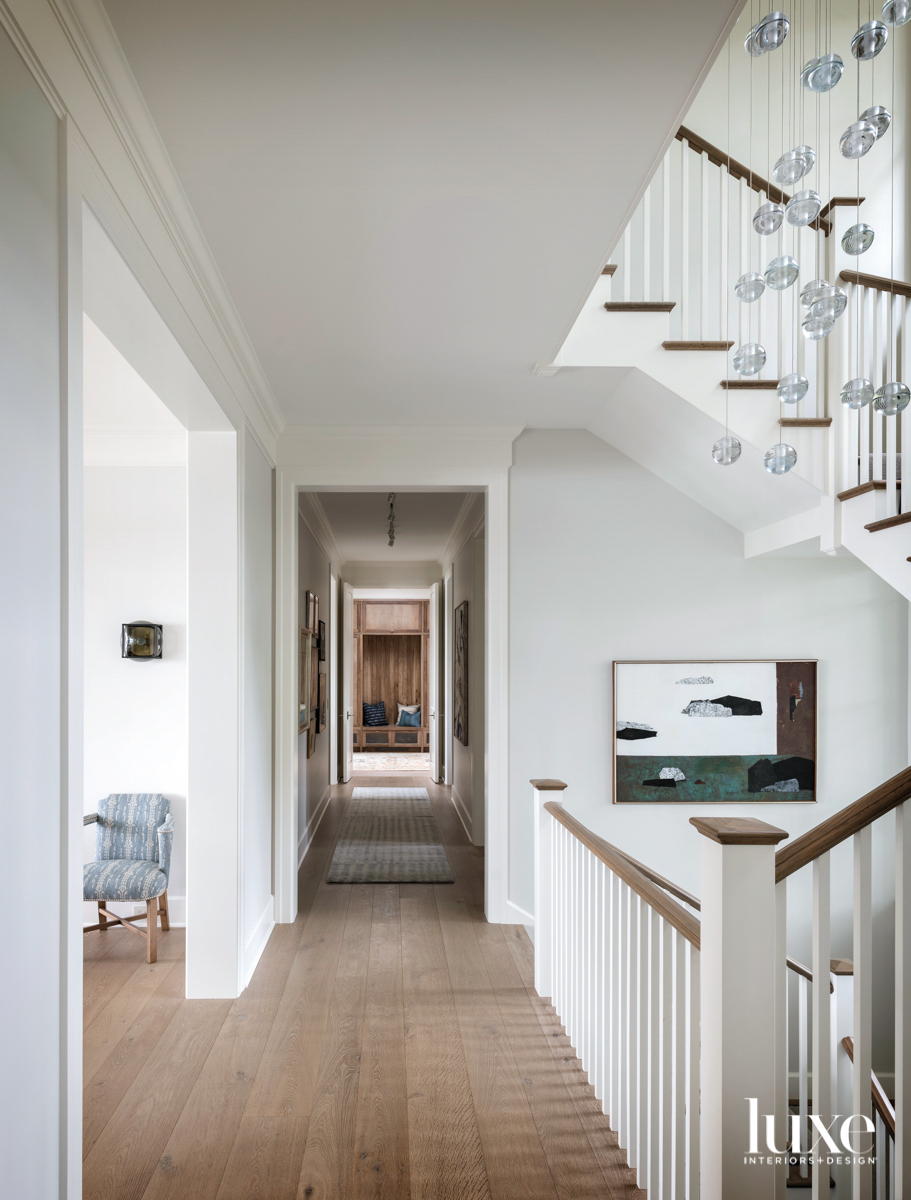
(862, 1173)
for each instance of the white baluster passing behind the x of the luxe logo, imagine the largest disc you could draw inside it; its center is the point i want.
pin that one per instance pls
(822, 1015)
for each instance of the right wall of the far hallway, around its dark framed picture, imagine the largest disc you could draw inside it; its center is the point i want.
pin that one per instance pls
(469, 763)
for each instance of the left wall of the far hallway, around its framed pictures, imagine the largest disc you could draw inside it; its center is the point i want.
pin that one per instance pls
(316, 775)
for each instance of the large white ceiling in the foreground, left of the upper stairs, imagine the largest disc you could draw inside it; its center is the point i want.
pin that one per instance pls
(410, 201)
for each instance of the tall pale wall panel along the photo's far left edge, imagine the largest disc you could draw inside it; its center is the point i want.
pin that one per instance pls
(35, 1039)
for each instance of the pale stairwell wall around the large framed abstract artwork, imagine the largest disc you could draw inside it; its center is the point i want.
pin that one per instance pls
(608, 562)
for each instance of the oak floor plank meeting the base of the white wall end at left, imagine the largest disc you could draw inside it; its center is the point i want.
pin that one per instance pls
(121, 1163)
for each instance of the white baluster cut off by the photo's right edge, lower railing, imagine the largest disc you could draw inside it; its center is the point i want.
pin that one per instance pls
(903, 1001)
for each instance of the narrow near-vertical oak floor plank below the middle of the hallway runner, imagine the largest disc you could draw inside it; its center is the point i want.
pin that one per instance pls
(380, 1163)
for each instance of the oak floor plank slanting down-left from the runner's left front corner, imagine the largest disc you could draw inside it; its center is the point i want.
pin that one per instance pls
(268, 1151)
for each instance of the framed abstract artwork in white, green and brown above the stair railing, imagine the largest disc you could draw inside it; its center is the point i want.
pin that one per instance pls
(715, 731)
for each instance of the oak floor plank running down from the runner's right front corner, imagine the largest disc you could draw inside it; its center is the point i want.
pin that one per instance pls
(445, 1145)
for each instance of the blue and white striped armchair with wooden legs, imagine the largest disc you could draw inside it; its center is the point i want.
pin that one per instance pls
(133, 862)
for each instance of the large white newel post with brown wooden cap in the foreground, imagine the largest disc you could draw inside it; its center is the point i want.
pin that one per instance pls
(739, 1023)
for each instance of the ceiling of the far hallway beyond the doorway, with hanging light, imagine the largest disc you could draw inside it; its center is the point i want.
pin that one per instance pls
(423, 525)
